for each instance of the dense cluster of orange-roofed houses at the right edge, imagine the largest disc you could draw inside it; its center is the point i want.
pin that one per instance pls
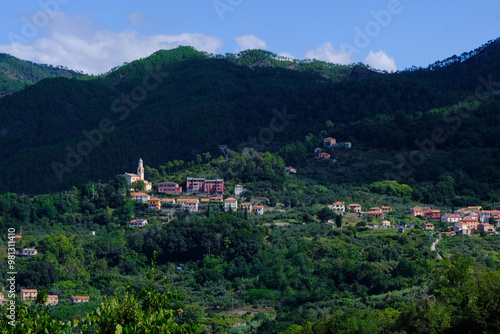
(466, 220)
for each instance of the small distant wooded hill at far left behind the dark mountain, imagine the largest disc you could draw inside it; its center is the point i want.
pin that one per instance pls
(16, 74)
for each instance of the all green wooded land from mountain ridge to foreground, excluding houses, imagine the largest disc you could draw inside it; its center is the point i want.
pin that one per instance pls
(420, 137)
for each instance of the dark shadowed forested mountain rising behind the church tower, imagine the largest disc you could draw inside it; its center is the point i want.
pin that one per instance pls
(179, 103)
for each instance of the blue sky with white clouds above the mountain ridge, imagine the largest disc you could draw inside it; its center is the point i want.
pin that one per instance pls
(94, 36)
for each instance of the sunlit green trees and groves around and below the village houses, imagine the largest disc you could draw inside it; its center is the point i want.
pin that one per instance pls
(286, 271)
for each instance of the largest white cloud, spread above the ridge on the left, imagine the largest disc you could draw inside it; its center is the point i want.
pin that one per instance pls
(82, 44)
